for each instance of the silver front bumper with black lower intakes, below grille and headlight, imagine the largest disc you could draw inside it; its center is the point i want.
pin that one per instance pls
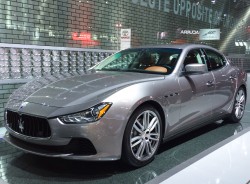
(101, 140)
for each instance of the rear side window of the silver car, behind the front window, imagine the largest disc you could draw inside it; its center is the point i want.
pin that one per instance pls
(215, 60)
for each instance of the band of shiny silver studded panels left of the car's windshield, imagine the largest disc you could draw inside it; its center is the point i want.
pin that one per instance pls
(29, 61)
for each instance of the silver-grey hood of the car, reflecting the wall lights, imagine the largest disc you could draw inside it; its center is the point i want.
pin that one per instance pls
(57, 92)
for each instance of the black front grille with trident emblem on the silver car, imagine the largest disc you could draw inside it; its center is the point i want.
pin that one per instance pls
(28, 125)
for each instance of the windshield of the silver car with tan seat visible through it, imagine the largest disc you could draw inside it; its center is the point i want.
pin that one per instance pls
(156, 60)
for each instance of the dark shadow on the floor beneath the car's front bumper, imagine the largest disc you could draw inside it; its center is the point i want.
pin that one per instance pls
(71, 169)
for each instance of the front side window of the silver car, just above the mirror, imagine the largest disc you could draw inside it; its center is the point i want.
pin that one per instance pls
(194, 56)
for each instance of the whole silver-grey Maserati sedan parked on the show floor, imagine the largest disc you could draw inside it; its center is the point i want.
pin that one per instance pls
(126, 106)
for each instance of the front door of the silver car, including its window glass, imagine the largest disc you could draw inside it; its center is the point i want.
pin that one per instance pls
(197, 90)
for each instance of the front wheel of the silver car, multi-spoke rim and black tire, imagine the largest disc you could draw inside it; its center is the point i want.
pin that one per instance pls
(142, 136)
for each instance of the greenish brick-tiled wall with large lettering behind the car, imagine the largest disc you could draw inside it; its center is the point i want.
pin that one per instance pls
(92, 23)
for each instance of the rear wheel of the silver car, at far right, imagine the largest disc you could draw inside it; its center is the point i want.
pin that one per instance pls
(239, 106)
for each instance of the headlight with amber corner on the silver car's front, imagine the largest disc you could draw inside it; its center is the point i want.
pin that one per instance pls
(90, 115)
